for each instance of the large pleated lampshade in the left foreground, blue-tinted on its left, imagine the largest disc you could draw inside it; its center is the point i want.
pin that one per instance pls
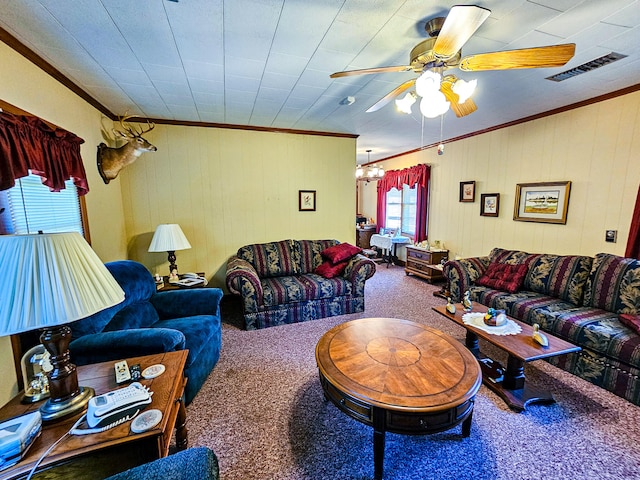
(51, 279)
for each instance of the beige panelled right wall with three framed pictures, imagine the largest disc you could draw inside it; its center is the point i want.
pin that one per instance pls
(595, 147)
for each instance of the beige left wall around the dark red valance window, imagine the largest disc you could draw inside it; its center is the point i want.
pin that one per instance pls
(29, 88)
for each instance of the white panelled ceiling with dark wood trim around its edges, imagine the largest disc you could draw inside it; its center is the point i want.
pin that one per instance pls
(267, 62)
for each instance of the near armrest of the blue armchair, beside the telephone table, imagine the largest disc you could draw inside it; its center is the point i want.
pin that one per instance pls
(119, 344)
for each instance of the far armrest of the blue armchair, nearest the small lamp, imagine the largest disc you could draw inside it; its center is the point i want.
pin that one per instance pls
(187, 303)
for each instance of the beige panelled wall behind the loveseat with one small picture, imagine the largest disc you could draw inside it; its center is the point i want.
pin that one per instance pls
(228, 188)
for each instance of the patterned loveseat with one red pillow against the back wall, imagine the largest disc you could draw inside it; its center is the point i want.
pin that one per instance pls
(278, 285)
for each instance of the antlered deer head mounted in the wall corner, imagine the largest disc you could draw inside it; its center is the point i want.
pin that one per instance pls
(112, 160)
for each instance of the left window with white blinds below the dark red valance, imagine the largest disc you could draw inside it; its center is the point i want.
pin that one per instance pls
(32, 207)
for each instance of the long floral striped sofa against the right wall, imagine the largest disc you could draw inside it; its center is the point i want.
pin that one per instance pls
(593, 302)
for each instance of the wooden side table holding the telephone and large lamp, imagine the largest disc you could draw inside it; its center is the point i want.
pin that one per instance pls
(99, 455)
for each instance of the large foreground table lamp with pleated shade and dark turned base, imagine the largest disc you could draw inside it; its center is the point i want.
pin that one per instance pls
(49, 281)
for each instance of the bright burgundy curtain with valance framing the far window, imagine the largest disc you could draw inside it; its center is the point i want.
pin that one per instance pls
(417, 176)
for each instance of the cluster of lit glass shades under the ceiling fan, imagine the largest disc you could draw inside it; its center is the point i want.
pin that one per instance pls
(433, 102)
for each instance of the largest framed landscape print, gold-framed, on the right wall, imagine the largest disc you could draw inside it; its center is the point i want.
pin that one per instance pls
(545, 202)
